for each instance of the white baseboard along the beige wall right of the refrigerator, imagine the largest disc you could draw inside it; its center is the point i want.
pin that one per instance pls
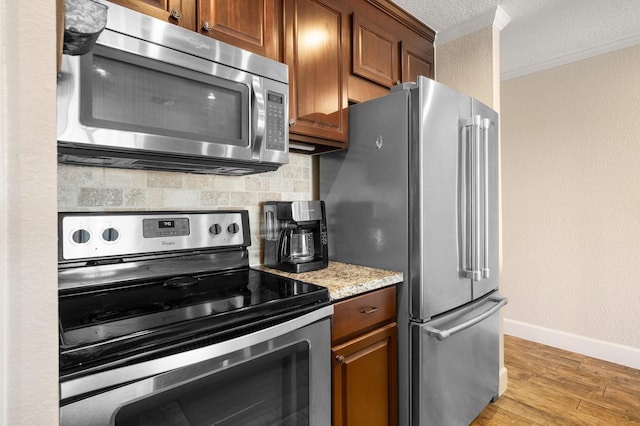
(612, 352)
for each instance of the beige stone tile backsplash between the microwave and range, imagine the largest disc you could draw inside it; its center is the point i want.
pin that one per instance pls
(90, 189)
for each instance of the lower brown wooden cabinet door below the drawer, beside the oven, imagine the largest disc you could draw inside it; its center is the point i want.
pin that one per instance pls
(364, 379)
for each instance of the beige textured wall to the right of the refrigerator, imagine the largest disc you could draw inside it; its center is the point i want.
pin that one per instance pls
(571, 198)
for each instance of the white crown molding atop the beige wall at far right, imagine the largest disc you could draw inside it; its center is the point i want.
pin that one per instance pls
(572, 57)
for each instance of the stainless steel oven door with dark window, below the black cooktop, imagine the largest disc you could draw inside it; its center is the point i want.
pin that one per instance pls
(278, 375)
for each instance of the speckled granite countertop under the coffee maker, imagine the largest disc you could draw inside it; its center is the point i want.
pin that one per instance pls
(344, 280)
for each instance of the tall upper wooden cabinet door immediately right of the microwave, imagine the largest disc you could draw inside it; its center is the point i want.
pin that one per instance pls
(316, 50)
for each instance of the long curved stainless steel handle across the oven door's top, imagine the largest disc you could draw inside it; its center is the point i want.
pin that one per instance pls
(76, 388)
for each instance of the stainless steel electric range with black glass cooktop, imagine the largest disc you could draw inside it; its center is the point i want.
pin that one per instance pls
(162, 321)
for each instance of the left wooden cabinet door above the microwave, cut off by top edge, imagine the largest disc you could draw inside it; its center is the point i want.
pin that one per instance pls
(179, 12)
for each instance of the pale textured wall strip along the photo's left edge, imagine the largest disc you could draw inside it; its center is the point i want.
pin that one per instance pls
(28, 229)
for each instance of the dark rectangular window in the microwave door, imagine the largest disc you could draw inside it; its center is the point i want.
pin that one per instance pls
(129, 92)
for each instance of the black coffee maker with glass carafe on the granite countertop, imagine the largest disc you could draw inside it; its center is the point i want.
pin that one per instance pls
(295, 235)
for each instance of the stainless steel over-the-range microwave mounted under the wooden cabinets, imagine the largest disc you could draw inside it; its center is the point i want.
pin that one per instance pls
(151, 95)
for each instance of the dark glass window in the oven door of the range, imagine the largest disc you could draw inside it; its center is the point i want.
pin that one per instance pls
(271, 389)
